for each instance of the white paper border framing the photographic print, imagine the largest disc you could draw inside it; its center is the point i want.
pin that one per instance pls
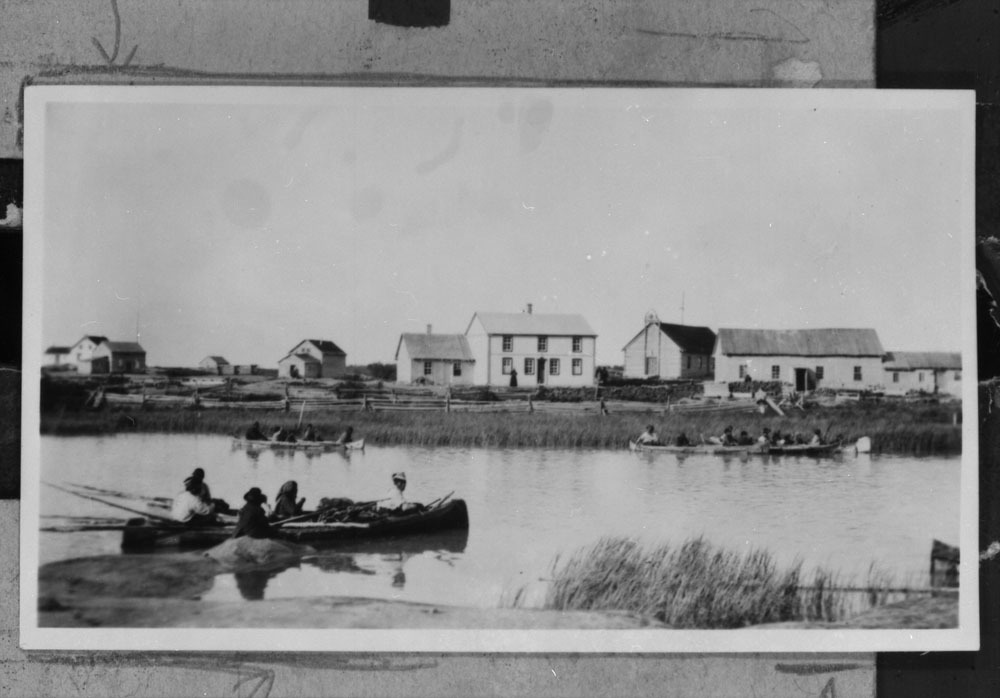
(965, 637)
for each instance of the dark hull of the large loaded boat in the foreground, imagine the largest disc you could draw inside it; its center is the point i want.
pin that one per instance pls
(145, 534)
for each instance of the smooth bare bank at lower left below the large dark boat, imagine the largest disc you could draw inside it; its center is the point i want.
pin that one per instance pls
(164, 590)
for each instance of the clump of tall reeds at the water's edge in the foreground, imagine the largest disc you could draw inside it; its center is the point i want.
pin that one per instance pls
(698, 585)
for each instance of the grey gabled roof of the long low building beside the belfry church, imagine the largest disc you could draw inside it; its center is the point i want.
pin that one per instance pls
(820, 342)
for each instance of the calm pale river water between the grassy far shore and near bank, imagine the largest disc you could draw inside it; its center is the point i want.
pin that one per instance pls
(527, 506)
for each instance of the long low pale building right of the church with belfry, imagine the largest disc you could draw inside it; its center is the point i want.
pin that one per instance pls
(808, 359)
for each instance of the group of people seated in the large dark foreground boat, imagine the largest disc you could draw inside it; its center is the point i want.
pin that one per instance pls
(195, 506)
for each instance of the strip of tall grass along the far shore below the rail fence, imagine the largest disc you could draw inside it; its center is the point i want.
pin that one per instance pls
(916, 429)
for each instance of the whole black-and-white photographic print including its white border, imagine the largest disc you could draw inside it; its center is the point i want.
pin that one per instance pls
(506, 370)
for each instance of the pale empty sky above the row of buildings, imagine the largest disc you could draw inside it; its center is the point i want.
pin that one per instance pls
(236, 222)
